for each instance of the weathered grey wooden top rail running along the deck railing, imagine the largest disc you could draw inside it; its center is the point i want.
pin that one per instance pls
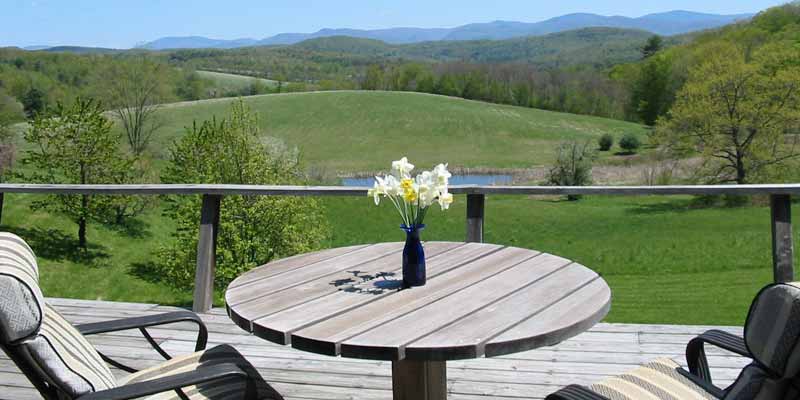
(213, 189)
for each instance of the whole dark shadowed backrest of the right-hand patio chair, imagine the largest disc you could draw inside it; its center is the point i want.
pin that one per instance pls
(772, 335)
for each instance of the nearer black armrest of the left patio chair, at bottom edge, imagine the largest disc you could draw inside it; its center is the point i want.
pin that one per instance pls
(174, 382)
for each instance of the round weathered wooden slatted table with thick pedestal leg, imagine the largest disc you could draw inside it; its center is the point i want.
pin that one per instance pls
(481, 300)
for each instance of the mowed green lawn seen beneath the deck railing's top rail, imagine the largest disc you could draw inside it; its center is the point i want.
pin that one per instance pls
(666, 261)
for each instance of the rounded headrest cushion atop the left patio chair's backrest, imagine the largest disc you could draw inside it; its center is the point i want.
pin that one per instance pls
(20, 297)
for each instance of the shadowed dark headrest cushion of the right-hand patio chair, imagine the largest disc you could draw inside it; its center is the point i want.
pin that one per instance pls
(772, 330)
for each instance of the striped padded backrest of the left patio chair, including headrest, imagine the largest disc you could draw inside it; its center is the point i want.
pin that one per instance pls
(57, 359)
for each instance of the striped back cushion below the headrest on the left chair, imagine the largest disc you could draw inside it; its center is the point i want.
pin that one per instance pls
(69, 361)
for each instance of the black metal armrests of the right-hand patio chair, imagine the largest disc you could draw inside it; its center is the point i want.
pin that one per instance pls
(696, 358)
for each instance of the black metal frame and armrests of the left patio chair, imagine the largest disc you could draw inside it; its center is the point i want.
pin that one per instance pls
(150, 387)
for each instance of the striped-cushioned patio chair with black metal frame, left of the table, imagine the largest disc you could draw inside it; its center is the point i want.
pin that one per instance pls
(59, 361)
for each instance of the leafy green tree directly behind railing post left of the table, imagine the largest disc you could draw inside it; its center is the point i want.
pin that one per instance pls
(253, 229)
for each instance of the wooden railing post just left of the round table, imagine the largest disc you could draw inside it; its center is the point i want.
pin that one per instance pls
(206, 254)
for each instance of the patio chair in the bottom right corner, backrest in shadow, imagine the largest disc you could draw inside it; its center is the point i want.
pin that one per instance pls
(771, 340)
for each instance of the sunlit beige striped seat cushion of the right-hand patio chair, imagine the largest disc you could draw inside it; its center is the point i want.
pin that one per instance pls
(657, 380)
